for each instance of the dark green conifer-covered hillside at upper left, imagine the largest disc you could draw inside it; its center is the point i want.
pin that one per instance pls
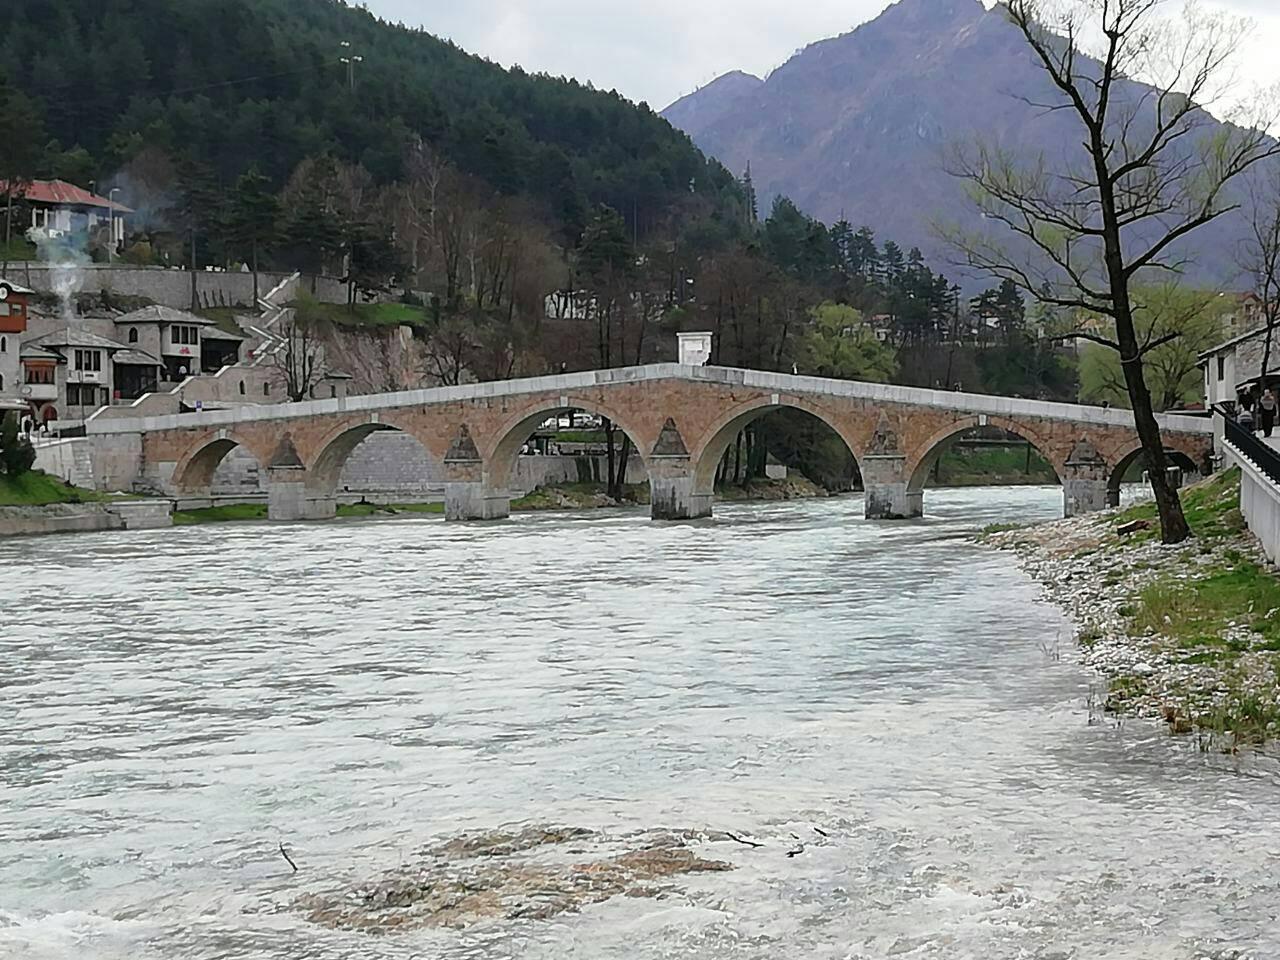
(239, 84)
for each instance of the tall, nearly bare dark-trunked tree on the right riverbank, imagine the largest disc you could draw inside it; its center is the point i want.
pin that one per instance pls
(1082, 231)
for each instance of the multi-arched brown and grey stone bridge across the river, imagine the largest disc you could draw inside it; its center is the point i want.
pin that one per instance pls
(682, 419)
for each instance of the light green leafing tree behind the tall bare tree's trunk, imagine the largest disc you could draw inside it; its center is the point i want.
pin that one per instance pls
(1185, 323)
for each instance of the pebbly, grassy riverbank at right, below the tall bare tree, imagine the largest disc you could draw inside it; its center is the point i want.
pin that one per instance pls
(1187, 634)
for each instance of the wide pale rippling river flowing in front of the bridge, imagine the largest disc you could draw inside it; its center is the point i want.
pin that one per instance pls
(889, 697)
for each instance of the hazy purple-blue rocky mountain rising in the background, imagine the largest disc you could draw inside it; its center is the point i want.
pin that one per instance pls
(858, 127)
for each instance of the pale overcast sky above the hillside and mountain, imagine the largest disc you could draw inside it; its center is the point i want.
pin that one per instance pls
(659, 51)
